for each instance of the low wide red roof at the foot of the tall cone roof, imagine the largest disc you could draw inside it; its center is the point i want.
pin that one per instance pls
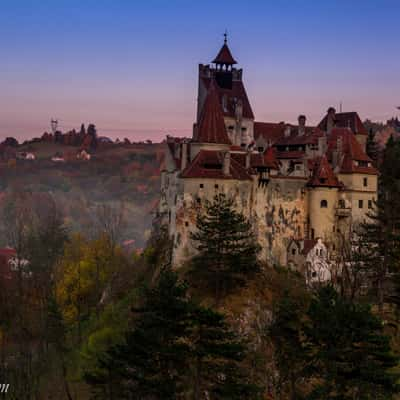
(209, 164)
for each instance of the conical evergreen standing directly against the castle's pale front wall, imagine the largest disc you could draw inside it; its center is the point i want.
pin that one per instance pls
(226, 245)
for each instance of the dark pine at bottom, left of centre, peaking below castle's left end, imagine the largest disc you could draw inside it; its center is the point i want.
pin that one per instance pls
(151, 363)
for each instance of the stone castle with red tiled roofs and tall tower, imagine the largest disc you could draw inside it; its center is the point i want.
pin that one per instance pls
(300, 186)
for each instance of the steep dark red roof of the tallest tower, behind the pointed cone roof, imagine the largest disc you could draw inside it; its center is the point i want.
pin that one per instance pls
(238, 92)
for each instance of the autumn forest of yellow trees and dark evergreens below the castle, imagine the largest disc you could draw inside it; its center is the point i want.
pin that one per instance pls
(82, 317)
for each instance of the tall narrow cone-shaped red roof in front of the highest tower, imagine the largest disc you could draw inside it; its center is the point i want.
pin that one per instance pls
(211, 127)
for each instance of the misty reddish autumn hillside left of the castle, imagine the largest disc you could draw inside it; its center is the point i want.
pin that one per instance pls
(119, 175)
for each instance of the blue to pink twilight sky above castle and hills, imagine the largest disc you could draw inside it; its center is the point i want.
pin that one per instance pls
(130, 67)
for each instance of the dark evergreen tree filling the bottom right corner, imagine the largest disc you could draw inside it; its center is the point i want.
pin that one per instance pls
(348, 355)
